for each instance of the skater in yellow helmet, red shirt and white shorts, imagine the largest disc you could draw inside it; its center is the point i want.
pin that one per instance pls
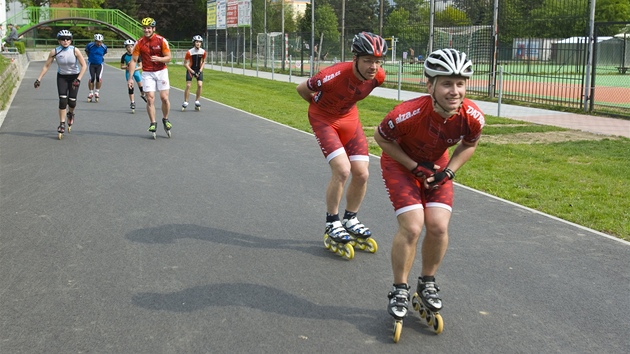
(155, 53)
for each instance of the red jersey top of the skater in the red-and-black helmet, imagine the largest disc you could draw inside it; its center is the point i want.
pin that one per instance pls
(338, 90)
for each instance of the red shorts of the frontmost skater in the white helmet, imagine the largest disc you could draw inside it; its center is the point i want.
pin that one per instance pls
(406, 191)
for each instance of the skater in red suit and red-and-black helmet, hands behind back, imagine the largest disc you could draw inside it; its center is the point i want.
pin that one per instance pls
(332, 94)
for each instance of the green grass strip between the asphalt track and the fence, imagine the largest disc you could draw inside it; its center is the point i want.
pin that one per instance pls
(585, 182)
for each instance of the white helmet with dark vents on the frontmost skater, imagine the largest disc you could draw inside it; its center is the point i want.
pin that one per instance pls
(447, 62)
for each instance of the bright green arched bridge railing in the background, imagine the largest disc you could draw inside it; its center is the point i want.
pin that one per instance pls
(32, 16)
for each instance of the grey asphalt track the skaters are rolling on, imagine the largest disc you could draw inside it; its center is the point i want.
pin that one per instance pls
(211, 242)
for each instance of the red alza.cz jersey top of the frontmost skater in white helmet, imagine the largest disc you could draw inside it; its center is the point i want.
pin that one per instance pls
(424, 135)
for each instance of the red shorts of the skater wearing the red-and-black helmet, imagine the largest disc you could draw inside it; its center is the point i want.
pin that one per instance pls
(344, 134)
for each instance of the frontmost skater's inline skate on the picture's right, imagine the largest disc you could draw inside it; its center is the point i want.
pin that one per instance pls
(427, 301)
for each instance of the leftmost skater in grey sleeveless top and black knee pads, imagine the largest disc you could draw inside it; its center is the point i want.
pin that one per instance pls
(69, 76)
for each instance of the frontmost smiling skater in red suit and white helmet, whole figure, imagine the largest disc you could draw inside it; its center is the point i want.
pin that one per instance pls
(417, 171)
